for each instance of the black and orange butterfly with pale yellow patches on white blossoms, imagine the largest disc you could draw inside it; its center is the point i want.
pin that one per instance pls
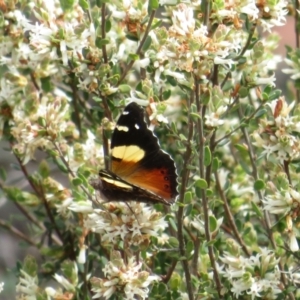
(140, 171)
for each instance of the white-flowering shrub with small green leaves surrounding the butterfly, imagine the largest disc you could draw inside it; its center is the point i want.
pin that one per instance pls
(205, 76)
